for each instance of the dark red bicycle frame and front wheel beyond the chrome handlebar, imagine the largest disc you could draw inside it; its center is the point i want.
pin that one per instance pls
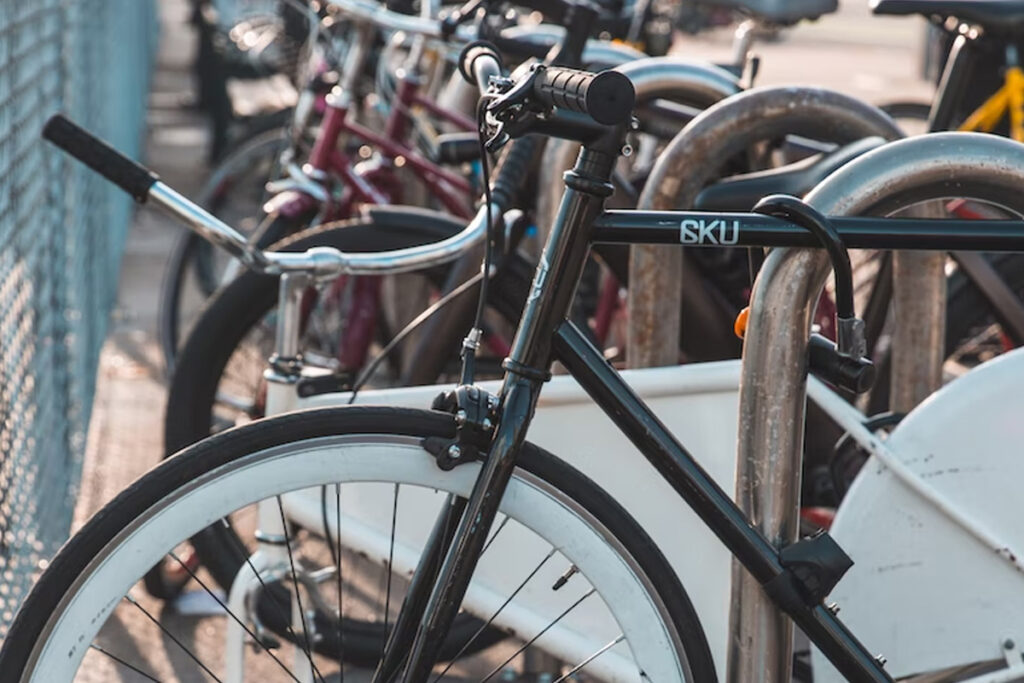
(350, 166)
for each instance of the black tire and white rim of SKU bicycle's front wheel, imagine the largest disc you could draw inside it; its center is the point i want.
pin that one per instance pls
(225, 467)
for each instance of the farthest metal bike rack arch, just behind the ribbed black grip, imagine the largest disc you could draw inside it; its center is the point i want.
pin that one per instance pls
(704, 84)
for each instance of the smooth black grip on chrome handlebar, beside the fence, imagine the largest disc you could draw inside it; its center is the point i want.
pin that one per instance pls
(102, 158)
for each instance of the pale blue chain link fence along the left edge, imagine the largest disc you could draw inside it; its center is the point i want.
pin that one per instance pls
(62, 230)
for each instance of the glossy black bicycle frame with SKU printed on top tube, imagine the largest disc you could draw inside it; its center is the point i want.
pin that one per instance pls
(545, 334)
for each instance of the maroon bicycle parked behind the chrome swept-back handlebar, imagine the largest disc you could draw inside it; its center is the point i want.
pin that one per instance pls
(302, 195)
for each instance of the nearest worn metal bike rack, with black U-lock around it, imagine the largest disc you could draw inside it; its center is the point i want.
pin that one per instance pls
(774, 385)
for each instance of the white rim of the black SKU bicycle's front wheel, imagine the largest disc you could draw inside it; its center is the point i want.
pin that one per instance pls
(652, 650)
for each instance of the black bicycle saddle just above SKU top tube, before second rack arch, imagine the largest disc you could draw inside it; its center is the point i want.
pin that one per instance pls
(743, 192)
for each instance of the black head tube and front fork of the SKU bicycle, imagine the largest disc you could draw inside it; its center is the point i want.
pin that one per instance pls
(434, 601)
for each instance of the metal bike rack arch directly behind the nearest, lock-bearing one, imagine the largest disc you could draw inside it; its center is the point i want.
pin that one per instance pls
(693, 160)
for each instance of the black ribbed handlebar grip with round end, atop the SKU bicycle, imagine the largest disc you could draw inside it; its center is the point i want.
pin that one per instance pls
(608, 98)
